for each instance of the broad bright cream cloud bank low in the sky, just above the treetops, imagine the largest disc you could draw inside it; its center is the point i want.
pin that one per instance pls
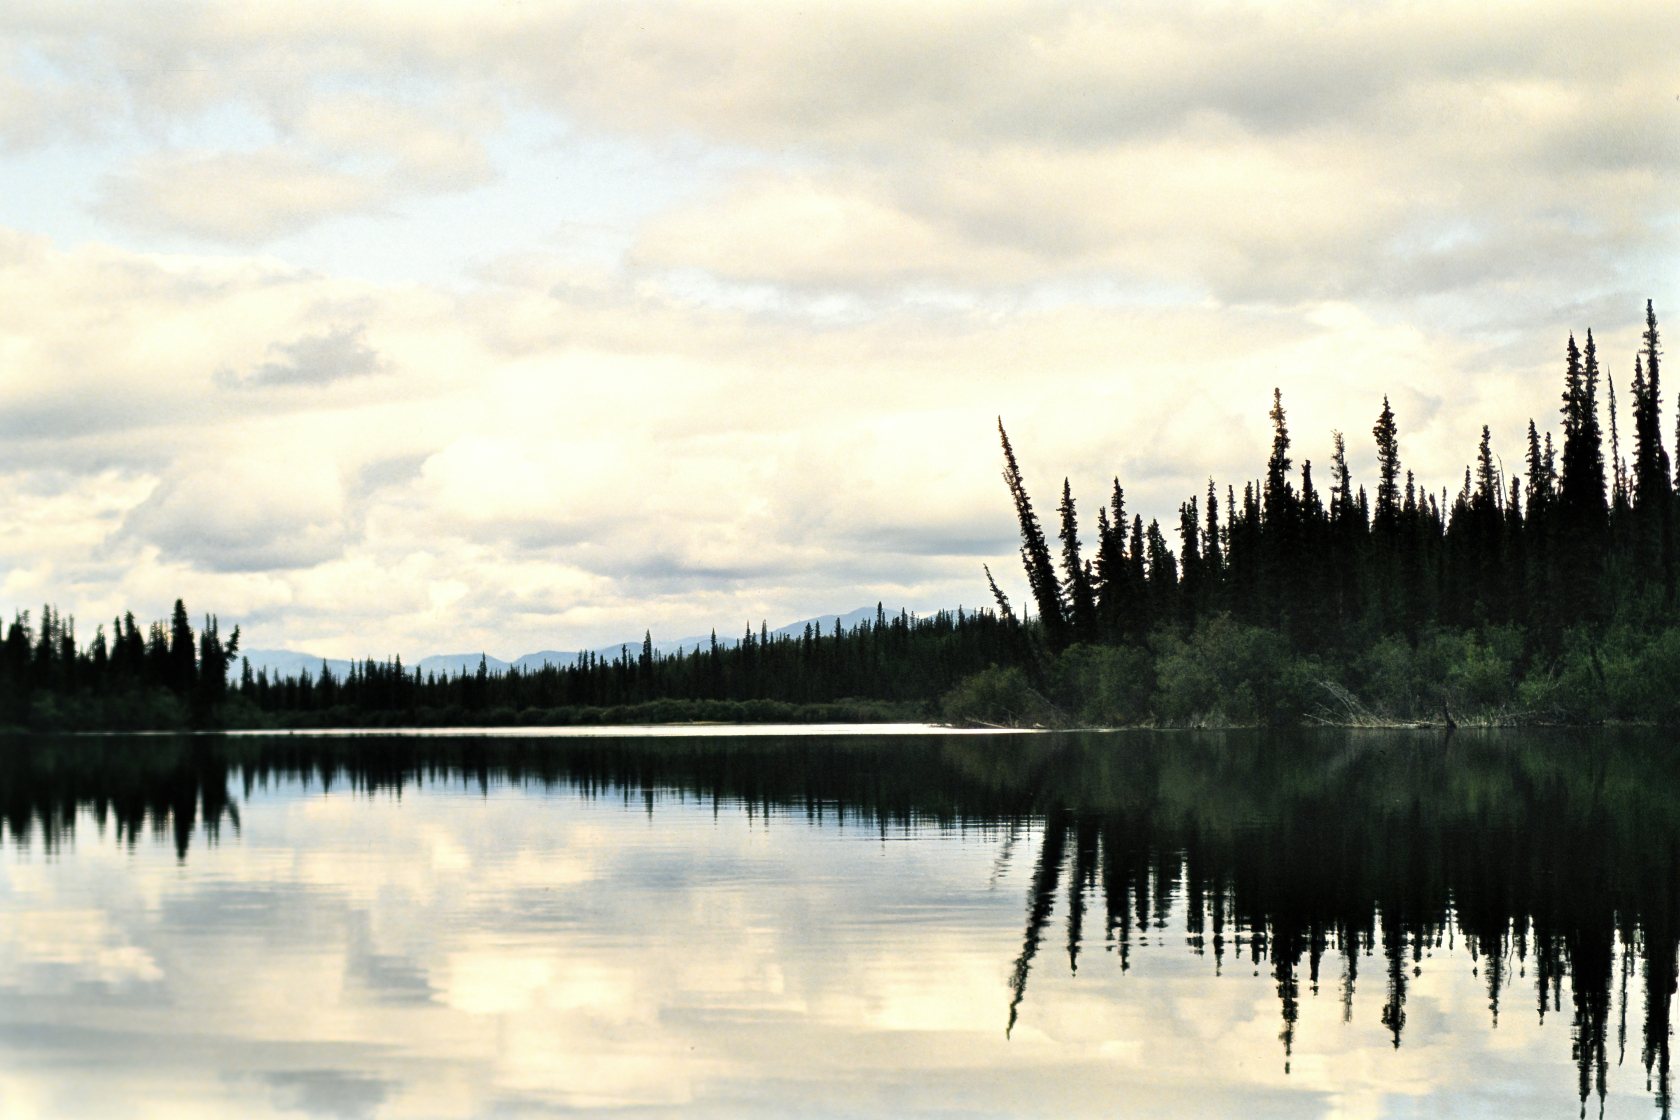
(552, 474)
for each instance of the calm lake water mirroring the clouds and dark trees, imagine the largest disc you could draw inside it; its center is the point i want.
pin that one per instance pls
(839, 926)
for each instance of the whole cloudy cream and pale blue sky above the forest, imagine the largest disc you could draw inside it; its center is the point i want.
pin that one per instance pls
(407, 330)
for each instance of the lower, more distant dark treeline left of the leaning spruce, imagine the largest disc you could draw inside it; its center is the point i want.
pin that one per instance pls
(886, 669)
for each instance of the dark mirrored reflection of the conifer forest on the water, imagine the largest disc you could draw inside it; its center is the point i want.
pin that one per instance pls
(1326, 859)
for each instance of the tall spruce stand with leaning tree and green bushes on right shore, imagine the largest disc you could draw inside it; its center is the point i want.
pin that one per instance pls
(1548, 590)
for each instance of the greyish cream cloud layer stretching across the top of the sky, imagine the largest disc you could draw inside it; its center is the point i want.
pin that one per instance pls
(1244, 150)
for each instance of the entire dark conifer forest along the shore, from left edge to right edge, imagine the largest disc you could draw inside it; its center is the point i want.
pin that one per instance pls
(1545, 595)
